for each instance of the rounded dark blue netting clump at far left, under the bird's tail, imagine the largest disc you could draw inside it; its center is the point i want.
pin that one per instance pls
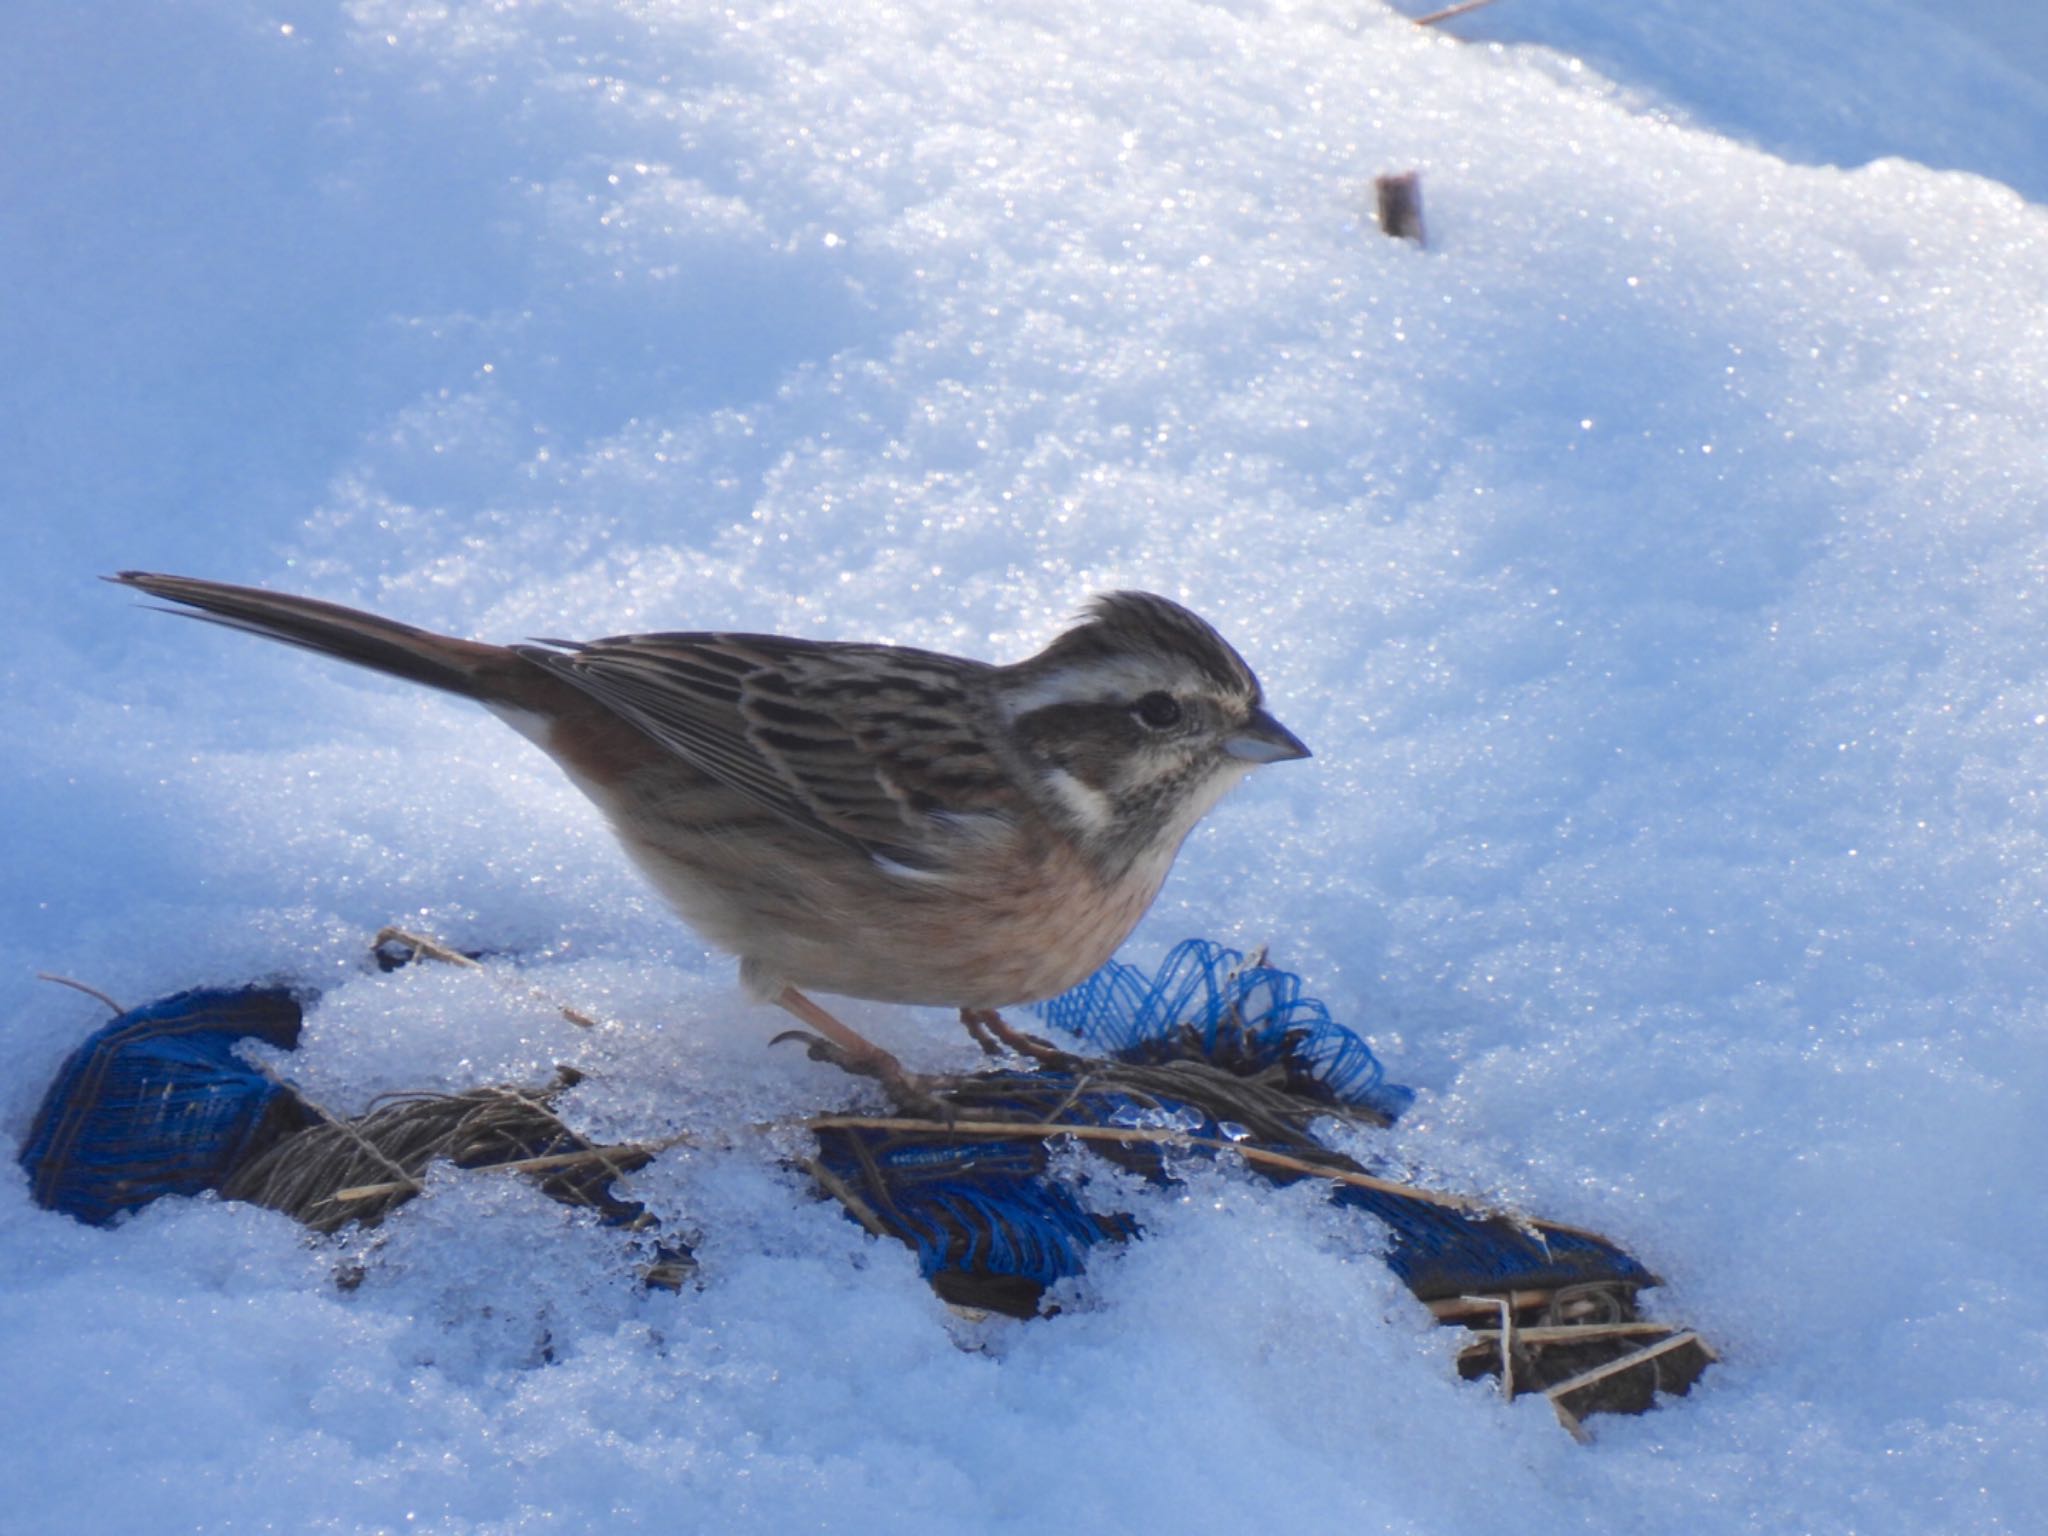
(159, 1103)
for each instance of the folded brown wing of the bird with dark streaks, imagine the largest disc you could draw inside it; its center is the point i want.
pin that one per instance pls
(876, 746)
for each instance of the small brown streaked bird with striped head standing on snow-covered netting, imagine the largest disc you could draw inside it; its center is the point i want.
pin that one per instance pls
(861, 820)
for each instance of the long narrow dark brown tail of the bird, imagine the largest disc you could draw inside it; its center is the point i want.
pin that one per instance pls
(460, 667)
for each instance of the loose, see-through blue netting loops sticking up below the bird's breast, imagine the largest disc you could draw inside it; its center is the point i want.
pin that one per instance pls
(1207, 1000)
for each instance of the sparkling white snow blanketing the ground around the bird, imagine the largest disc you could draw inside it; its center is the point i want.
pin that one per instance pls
(1656, 564)
